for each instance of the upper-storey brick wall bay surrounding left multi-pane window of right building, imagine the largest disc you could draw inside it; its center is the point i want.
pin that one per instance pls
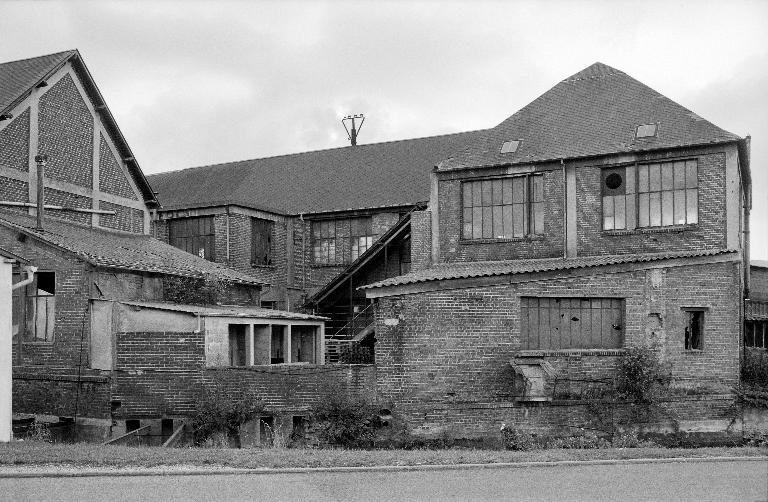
(454, 248)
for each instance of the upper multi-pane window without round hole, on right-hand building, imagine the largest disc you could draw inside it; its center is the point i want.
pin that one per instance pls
(503, 208)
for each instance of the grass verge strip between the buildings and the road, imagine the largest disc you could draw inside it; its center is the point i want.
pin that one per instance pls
(39, 454)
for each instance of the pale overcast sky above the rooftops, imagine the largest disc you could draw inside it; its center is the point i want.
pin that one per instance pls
(196, 83)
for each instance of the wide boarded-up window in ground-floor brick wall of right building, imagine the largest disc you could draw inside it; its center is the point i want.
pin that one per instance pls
(571, 323)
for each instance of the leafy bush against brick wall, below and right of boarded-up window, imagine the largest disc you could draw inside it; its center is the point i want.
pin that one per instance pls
(640, 375)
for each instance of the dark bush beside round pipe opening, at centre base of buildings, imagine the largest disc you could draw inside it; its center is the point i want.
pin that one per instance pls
(343, 420)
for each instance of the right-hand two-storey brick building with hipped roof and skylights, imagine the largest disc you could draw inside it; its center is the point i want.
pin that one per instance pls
(600, 216)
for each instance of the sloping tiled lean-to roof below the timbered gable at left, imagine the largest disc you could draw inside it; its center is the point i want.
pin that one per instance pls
(124, 251)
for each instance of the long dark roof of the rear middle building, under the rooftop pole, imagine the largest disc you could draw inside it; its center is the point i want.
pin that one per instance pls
(394, 173)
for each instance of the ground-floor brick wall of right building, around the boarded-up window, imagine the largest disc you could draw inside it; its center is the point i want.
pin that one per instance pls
(435, 349)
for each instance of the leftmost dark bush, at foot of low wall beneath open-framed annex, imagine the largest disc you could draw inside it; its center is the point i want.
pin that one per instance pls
(217, 411)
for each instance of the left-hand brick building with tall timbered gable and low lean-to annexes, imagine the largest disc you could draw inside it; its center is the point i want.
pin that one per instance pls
(119, 330)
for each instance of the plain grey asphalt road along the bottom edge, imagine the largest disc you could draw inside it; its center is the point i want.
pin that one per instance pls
(699, 481)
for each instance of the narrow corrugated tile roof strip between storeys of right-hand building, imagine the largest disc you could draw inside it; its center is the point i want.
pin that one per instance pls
(466, 270)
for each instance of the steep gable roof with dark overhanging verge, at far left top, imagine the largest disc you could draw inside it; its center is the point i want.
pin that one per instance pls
(18, 78)
